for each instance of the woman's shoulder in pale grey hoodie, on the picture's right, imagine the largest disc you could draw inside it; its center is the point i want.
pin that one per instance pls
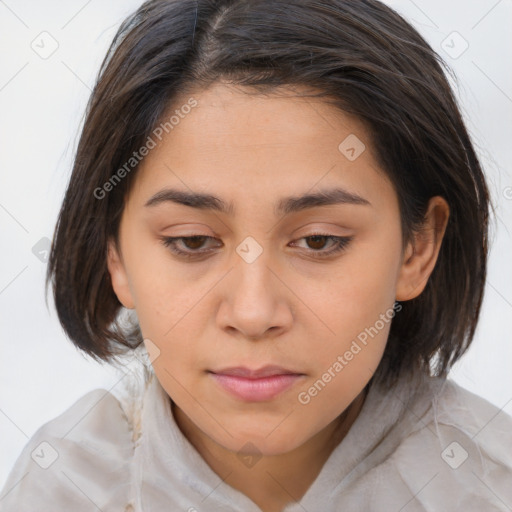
(458, 454)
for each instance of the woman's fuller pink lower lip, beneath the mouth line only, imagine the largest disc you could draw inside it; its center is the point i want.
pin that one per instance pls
(256, 390)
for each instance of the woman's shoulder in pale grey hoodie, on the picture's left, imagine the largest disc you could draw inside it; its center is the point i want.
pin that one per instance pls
(77, 461)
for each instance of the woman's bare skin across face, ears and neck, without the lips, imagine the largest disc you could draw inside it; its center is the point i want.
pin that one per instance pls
(286, 308)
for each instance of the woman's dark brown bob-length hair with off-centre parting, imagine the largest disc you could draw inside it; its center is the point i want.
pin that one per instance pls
(358, 55)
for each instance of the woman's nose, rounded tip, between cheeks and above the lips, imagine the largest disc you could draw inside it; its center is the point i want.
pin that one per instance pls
(255, 303)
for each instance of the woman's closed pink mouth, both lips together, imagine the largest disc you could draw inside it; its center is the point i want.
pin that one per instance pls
(258, 385)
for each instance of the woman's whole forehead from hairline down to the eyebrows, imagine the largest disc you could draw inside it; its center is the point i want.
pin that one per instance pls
(244, 146)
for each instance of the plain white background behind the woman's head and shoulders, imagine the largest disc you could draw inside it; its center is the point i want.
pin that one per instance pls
(41, 104)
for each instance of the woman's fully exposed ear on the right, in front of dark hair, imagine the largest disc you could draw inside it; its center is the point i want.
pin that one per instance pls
(421, 253)
